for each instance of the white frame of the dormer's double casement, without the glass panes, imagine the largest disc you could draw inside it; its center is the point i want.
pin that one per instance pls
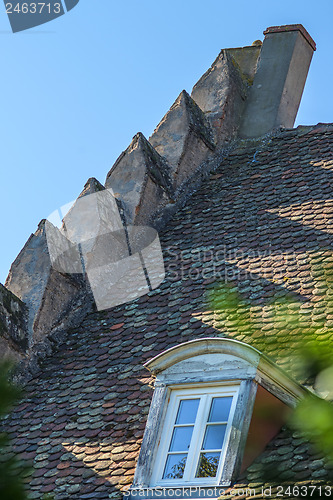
(205, 394)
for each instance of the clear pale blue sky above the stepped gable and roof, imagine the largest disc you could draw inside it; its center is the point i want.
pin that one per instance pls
(76, 90)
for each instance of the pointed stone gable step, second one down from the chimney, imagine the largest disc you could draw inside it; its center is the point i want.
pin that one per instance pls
(184, 137)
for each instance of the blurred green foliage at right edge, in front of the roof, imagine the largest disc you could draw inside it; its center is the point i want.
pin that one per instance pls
(308, 354)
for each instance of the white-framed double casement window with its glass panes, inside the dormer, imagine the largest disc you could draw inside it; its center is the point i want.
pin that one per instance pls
(196, 435)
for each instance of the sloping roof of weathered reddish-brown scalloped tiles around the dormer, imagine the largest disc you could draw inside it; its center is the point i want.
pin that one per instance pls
(263, 218)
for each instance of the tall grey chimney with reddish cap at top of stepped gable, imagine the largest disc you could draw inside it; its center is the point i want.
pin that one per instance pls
(278, 85)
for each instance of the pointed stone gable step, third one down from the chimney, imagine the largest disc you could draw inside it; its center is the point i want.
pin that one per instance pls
(140, 180)
